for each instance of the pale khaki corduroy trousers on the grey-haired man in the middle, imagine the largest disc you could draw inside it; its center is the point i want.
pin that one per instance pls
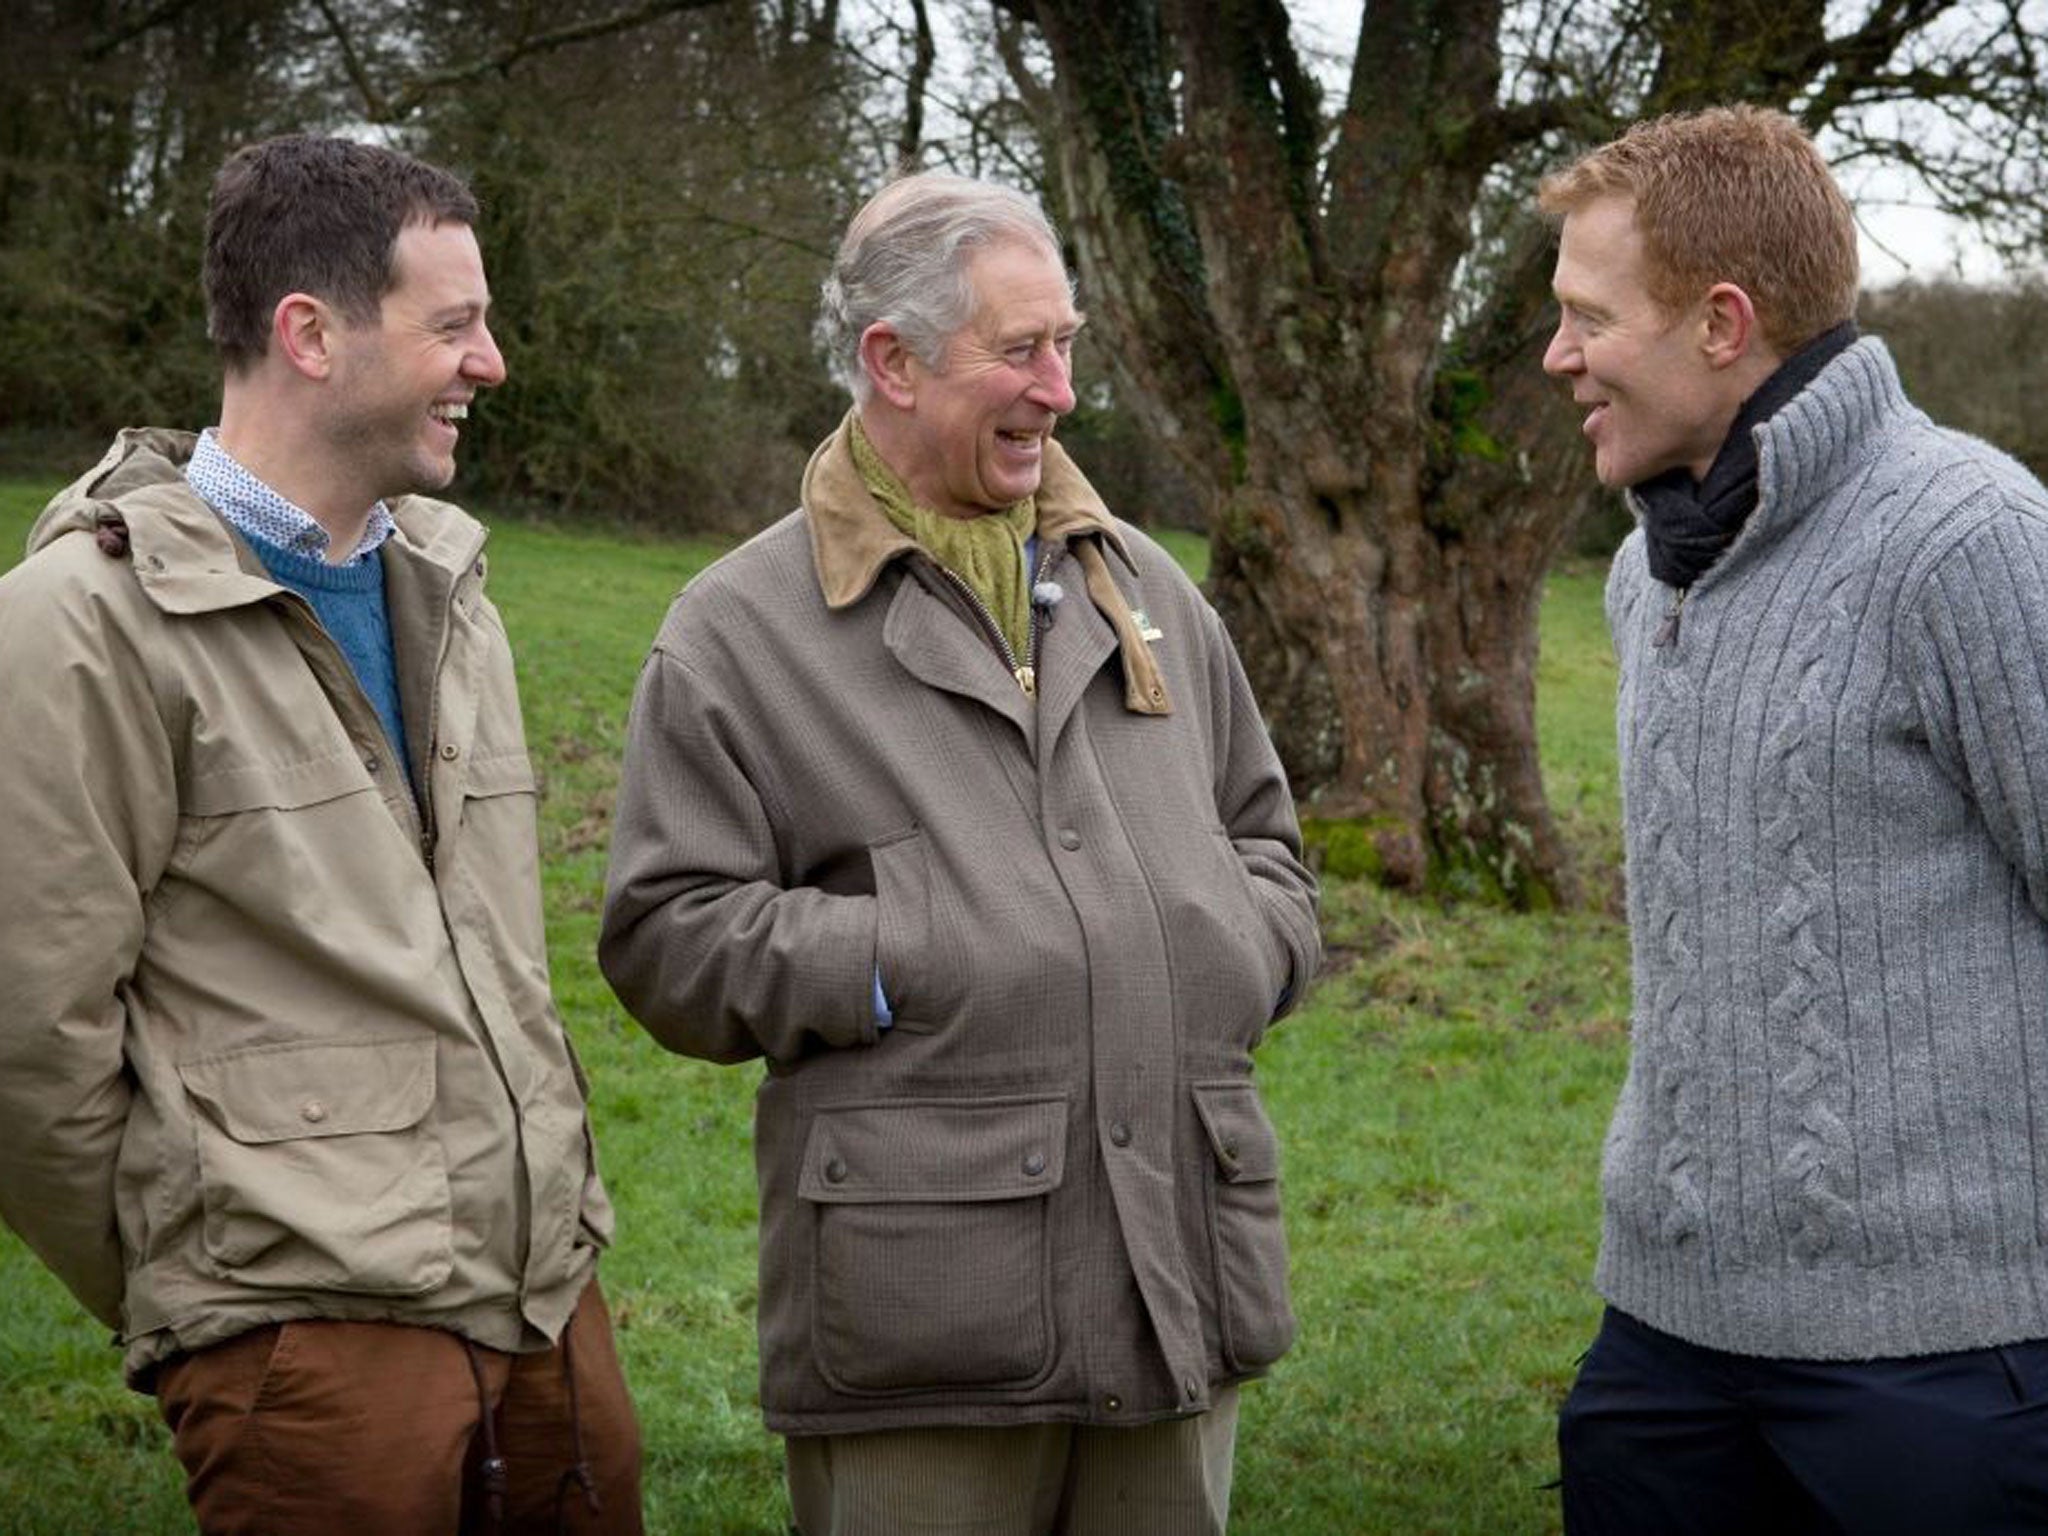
(1031, 1480)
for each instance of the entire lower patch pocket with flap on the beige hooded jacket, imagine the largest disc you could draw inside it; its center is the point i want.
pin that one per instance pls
(318, 1170)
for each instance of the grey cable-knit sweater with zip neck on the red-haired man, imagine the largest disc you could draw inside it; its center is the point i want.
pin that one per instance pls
(1834, 1136)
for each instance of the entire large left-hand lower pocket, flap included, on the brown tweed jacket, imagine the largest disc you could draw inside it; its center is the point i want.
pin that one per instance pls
(931, 1242)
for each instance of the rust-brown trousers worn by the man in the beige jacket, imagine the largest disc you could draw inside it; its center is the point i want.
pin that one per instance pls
(329, 1428)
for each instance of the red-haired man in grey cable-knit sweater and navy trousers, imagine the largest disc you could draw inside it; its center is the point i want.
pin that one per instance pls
(1826, 1242)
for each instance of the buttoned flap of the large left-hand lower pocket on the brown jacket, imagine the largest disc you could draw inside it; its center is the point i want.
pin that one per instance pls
(935, 1150)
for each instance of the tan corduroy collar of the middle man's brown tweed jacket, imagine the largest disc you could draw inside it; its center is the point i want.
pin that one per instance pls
(853, 538)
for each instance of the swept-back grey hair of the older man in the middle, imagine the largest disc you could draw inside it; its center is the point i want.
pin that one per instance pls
(904, 263)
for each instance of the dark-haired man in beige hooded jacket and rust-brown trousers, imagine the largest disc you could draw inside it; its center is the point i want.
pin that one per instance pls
(284, 1095)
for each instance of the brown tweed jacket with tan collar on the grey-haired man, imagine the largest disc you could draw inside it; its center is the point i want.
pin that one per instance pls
(1050, 1191)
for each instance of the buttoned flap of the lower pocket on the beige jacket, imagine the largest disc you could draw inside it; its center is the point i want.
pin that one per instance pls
(327, 1089)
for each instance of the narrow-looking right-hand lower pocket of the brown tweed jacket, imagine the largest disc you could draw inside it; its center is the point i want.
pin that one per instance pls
(1246, 1234)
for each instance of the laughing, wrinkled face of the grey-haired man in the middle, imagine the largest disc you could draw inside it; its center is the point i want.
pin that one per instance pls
(980, 423)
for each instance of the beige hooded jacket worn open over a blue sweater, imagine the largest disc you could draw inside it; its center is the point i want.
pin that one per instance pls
(273, 1041)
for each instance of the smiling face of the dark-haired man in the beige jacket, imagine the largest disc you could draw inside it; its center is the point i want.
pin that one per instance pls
(402, 386)
